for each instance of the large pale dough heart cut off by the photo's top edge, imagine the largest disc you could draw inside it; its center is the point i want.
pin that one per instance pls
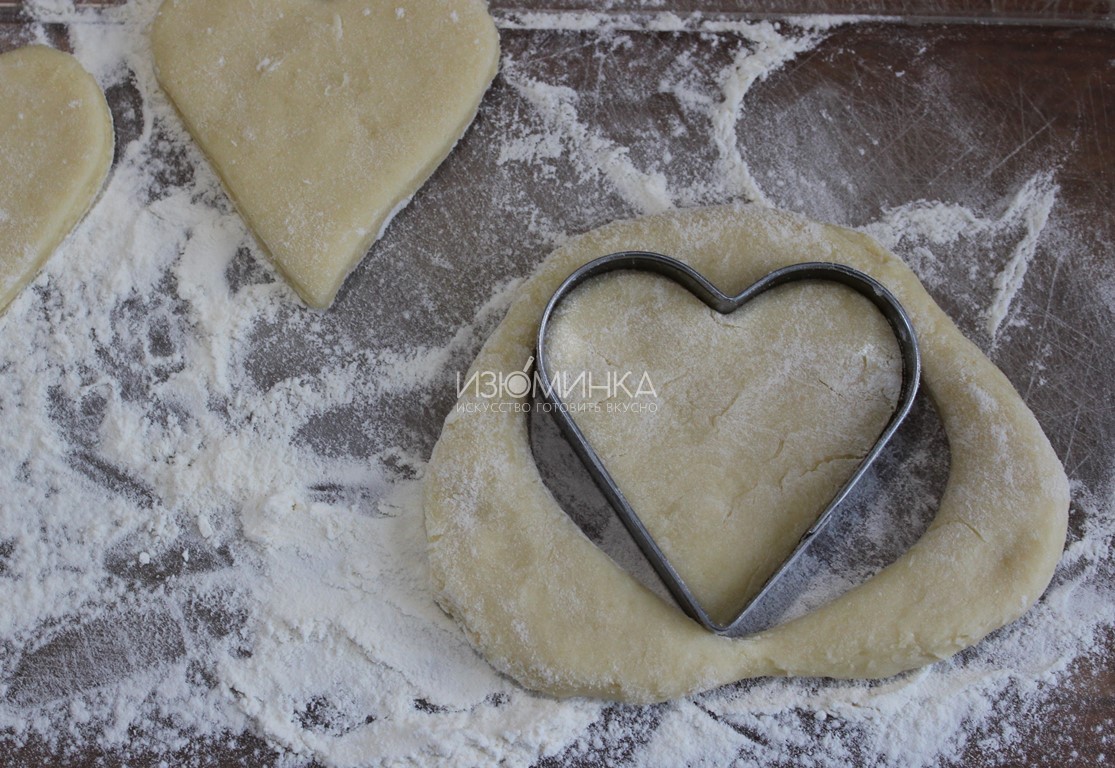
(324, 119)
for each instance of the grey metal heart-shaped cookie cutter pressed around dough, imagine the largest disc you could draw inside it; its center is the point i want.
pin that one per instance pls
(699, 286)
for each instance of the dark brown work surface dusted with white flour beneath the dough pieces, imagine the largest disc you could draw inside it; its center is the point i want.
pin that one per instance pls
(210, 518)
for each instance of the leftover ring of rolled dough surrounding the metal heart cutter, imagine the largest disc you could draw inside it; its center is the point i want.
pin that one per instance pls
(554, 611)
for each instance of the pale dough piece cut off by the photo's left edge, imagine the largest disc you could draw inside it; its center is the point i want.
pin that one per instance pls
(56, 148)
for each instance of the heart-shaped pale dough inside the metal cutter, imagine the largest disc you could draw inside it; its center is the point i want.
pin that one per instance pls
(736, 397)
